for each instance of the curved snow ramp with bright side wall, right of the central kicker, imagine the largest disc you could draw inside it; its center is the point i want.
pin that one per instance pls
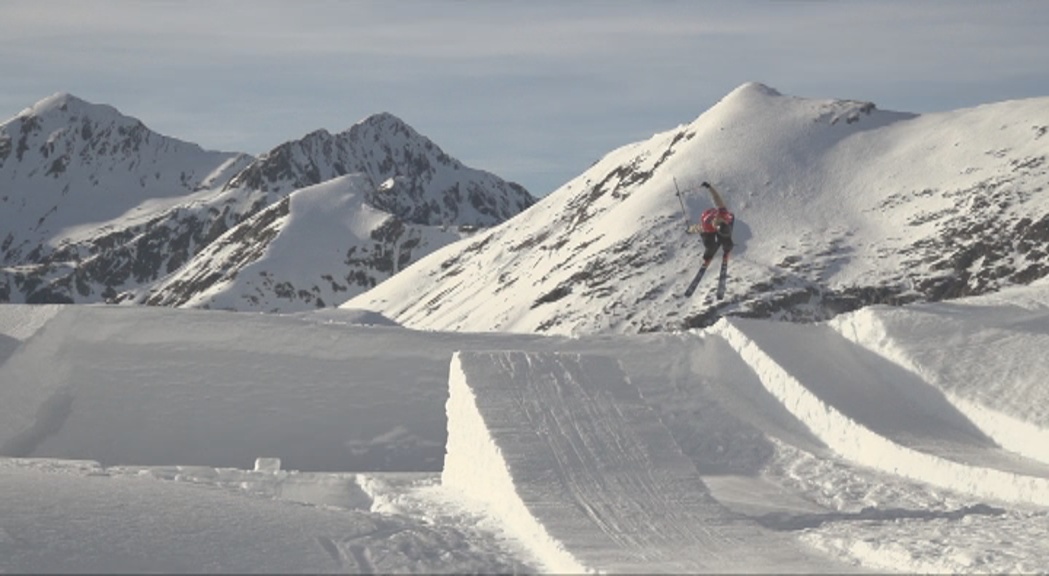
(876, 414)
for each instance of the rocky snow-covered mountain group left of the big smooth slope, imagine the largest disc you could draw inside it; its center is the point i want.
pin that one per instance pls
(99, 208)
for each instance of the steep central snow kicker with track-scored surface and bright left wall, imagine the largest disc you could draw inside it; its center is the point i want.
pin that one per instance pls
(567, 455)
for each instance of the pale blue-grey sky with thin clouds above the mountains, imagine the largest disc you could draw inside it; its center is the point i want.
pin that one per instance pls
(534, 92)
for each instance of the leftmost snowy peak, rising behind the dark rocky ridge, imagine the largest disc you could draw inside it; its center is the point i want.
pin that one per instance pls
(66, 164)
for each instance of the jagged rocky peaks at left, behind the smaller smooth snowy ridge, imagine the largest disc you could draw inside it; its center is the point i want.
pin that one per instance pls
(104, 208)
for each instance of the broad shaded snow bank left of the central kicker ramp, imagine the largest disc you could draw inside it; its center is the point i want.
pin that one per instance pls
(93, 373)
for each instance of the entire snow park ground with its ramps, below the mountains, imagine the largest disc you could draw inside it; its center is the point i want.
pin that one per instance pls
(160, 440)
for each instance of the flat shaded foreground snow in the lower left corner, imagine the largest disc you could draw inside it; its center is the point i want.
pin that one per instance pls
(63, 517)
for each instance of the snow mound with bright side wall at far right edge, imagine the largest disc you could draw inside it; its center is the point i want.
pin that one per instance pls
(986, 355)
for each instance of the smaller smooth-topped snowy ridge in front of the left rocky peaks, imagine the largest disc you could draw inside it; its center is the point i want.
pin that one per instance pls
(322, 245)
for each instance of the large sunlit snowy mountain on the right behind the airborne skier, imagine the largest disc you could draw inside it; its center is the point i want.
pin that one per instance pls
(839, 205)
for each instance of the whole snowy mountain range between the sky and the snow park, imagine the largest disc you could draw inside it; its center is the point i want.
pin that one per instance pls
(839, 205)
